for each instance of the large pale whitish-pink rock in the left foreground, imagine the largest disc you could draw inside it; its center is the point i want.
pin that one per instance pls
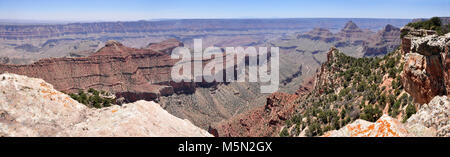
(31, 107)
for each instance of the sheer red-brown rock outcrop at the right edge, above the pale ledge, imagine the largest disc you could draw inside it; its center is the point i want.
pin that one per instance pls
(426, 71)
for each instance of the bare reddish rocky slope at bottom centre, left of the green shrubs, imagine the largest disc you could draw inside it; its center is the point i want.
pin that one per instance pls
(265, 120)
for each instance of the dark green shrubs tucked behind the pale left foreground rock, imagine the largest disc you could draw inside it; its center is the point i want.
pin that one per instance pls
(93, 98)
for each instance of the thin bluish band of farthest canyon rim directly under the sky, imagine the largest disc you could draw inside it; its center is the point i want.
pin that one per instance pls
(20, 31)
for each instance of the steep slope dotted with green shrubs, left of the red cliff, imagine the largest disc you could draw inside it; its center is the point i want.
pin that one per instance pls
(353, 90)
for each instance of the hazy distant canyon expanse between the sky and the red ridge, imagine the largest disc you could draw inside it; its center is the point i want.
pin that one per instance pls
(27, 43)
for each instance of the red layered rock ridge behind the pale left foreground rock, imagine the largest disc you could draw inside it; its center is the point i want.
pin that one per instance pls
(133, 73)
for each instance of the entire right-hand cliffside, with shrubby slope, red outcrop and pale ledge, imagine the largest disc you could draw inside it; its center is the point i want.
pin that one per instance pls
(388, 96)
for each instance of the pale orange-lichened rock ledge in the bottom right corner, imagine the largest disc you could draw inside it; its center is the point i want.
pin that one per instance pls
(431, 120)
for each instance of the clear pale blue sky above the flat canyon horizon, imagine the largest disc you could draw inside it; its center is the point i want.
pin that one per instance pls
(128, 10)
